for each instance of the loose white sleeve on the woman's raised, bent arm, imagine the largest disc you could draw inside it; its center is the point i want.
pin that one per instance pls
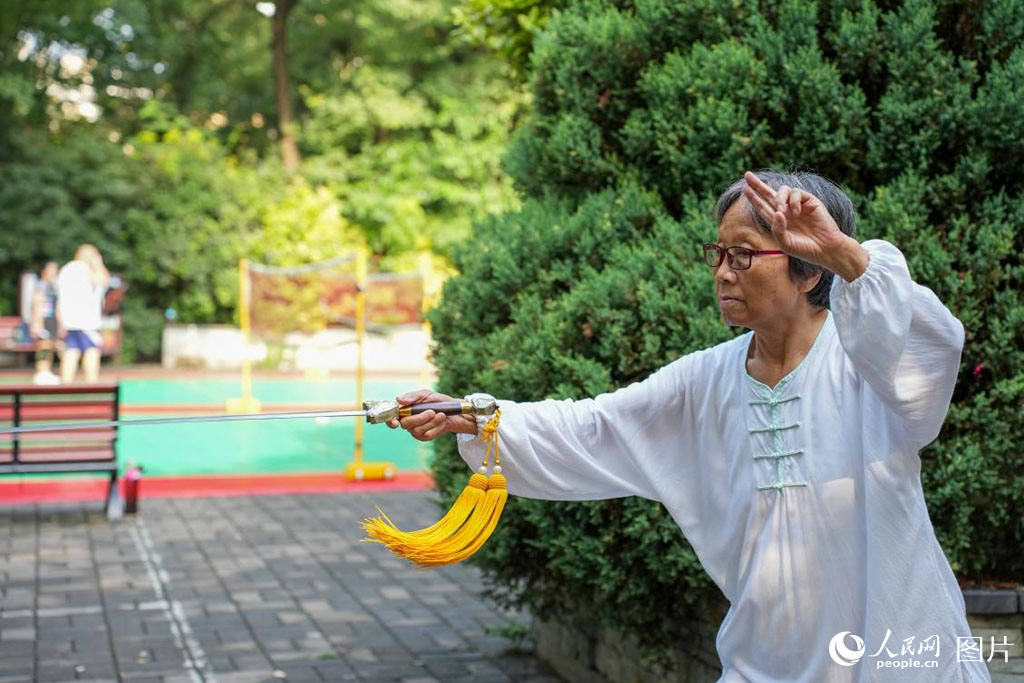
(902, 339)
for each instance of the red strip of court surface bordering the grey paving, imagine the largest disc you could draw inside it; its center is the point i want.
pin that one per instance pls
(80, 490)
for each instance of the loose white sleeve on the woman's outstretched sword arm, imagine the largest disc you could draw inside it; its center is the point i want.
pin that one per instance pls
(609, 447)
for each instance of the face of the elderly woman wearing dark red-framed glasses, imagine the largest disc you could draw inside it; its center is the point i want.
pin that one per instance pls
(756, 297)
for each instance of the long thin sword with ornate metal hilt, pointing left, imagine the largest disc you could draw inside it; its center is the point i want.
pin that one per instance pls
(375, 412)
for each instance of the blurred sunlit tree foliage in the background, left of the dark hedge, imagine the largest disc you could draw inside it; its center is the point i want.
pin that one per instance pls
(149, 127)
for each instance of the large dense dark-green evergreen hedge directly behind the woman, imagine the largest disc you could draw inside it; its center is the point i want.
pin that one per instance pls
(643, 112)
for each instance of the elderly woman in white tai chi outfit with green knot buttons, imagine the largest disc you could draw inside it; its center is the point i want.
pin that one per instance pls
(789, 455)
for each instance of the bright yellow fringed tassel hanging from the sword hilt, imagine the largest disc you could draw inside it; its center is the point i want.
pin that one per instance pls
(463, 530)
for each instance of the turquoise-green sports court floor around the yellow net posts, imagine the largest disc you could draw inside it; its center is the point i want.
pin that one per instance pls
(265, 447)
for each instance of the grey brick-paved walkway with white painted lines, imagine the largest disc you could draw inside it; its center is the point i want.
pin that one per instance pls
(241, 589)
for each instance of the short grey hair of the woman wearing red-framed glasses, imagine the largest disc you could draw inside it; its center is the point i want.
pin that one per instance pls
(837, 203)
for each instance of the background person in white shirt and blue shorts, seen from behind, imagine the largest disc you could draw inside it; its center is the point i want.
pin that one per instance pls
(81, 286)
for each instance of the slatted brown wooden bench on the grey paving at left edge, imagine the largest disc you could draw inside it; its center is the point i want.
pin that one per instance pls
(92, 450)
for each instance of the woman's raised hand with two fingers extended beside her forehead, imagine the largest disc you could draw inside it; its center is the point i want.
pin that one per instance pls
(803, 228)
